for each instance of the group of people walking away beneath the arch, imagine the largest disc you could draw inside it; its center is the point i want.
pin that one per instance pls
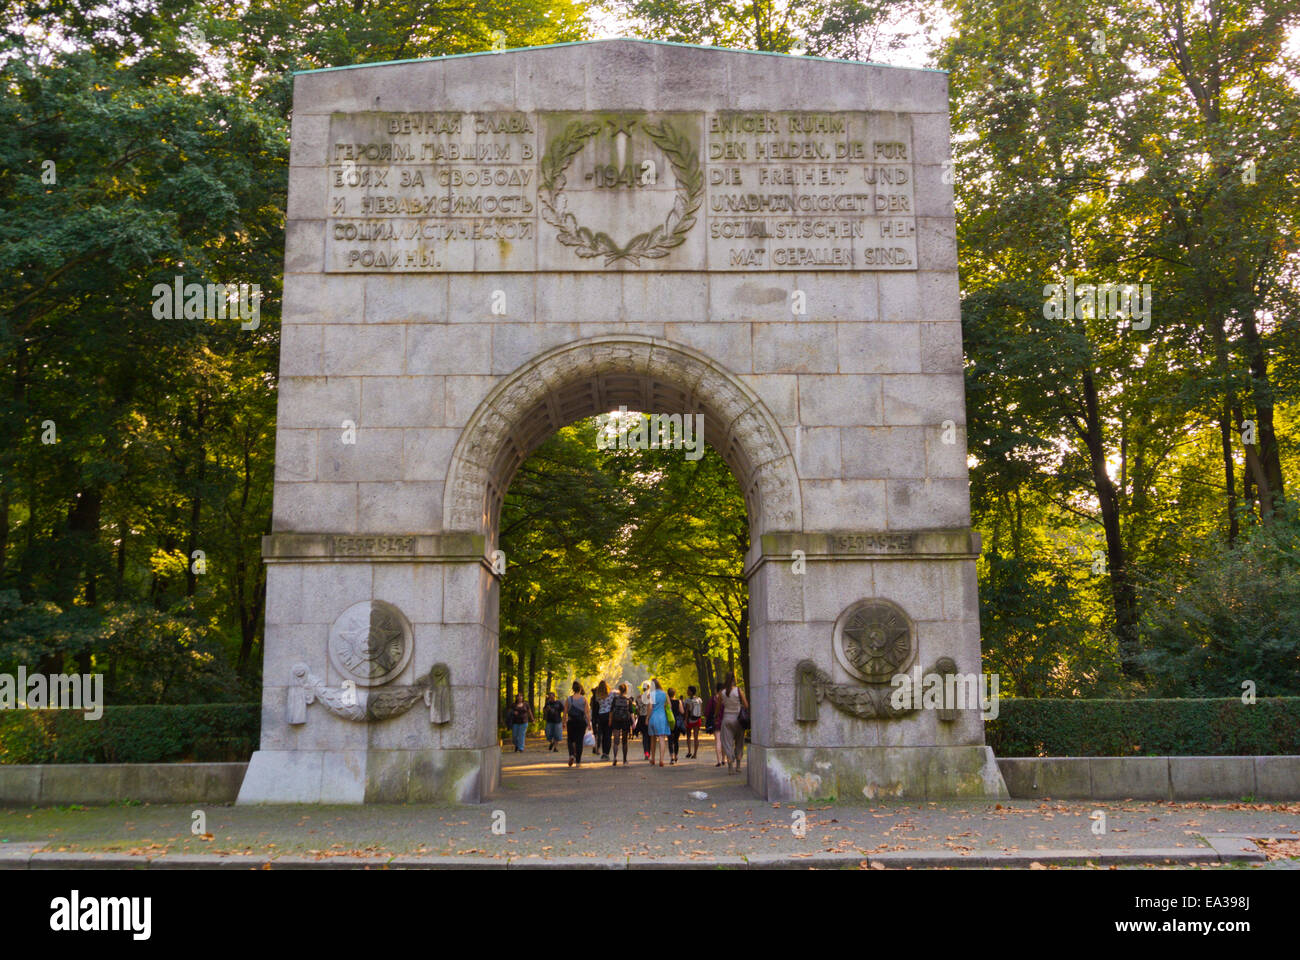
(610, 719)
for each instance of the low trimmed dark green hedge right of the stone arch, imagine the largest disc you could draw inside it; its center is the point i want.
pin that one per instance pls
(1146, 728)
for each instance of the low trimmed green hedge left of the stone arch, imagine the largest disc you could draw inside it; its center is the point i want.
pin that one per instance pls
(203, 733)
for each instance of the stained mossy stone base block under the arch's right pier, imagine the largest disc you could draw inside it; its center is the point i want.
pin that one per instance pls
(876, 773)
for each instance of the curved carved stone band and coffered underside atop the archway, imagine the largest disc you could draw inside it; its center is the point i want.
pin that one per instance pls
(595, 377)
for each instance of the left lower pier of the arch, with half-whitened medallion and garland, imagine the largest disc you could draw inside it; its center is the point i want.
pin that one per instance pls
(447, 598)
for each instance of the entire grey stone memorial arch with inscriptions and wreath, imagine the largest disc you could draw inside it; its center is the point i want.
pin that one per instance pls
(484, 249)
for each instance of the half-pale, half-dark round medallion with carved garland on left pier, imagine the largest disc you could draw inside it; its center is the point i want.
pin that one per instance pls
(370, 645)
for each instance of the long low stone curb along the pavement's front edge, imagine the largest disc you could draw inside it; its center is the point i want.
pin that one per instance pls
(1219, 850)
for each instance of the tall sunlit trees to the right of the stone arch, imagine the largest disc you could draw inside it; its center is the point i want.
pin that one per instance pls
(1100, 144)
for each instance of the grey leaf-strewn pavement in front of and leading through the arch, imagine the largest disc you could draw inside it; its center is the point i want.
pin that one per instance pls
(639, 815)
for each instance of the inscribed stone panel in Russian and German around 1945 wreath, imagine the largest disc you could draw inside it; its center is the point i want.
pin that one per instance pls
(460, 192)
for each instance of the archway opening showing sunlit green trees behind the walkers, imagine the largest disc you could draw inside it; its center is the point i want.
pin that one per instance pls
(626, 539)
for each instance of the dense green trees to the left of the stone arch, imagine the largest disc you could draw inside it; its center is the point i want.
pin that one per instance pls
(140, 142)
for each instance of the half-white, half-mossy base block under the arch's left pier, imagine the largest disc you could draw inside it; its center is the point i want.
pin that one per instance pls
(371, 777)
